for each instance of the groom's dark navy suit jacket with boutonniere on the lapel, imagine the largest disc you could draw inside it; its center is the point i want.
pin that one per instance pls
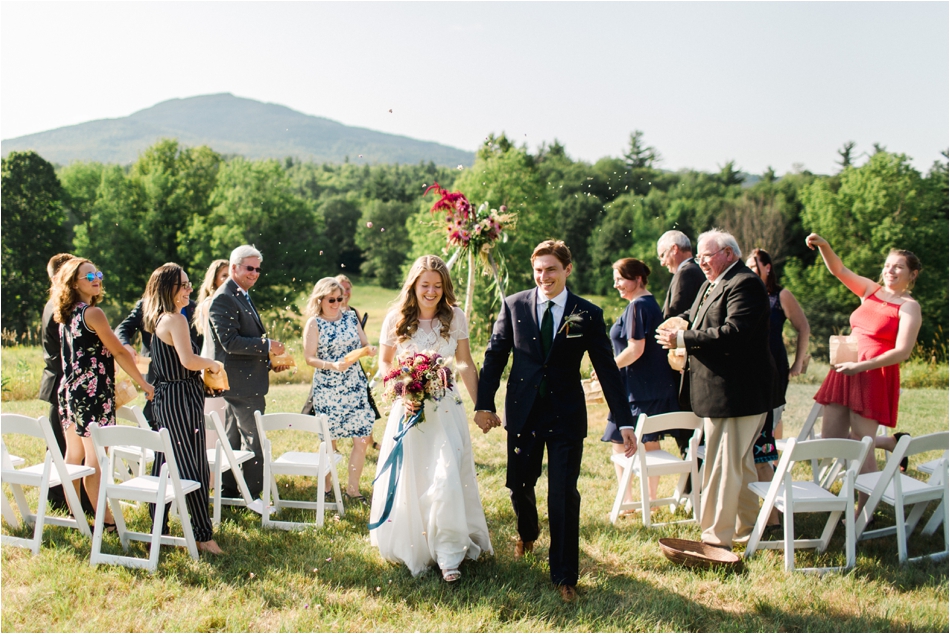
(517, 329)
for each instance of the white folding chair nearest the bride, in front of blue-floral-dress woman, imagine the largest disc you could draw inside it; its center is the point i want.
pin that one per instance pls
(314, 464)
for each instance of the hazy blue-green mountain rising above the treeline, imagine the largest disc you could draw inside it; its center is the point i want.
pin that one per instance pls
(231, 125)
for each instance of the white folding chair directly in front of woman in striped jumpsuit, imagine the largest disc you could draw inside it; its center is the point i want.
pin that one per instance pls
(167, 487)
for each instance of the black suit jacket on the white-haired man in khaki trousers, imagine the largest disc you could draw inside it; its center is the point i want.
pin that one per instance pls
(729, 367)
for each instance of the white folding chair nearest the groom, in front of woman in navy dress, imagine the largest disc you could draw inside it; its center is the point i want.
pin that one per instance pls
(645, 463)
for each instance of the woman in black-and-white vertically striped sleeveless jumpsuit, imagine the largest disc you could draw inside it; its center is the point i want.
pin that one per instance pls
(179, 390)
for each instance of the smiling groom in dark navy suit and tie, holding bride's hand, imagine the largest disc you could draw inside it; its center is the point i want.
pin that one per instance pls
(549, 329)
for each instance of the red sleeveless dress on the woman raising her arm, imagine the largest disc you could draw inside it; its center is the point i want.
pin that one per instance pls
(872, 394)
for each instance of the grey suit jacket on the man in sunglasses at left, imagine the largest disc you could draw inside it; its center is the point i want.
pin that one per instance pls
(239, 341)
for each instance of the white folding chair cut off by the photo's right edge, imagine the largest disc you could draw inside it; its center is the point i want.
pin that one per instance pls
(897, 489)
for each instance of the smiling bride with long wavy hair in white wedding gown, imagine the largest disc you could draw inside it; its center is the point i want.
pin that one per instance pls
(437, 516)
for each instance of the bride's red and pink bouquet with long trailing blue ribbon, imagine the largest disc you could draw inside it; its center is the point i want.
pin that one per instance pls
(416, 377)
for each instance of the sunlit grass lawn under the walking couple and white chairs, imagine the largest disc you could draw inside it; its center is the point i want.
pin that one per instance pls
(333, 580)
